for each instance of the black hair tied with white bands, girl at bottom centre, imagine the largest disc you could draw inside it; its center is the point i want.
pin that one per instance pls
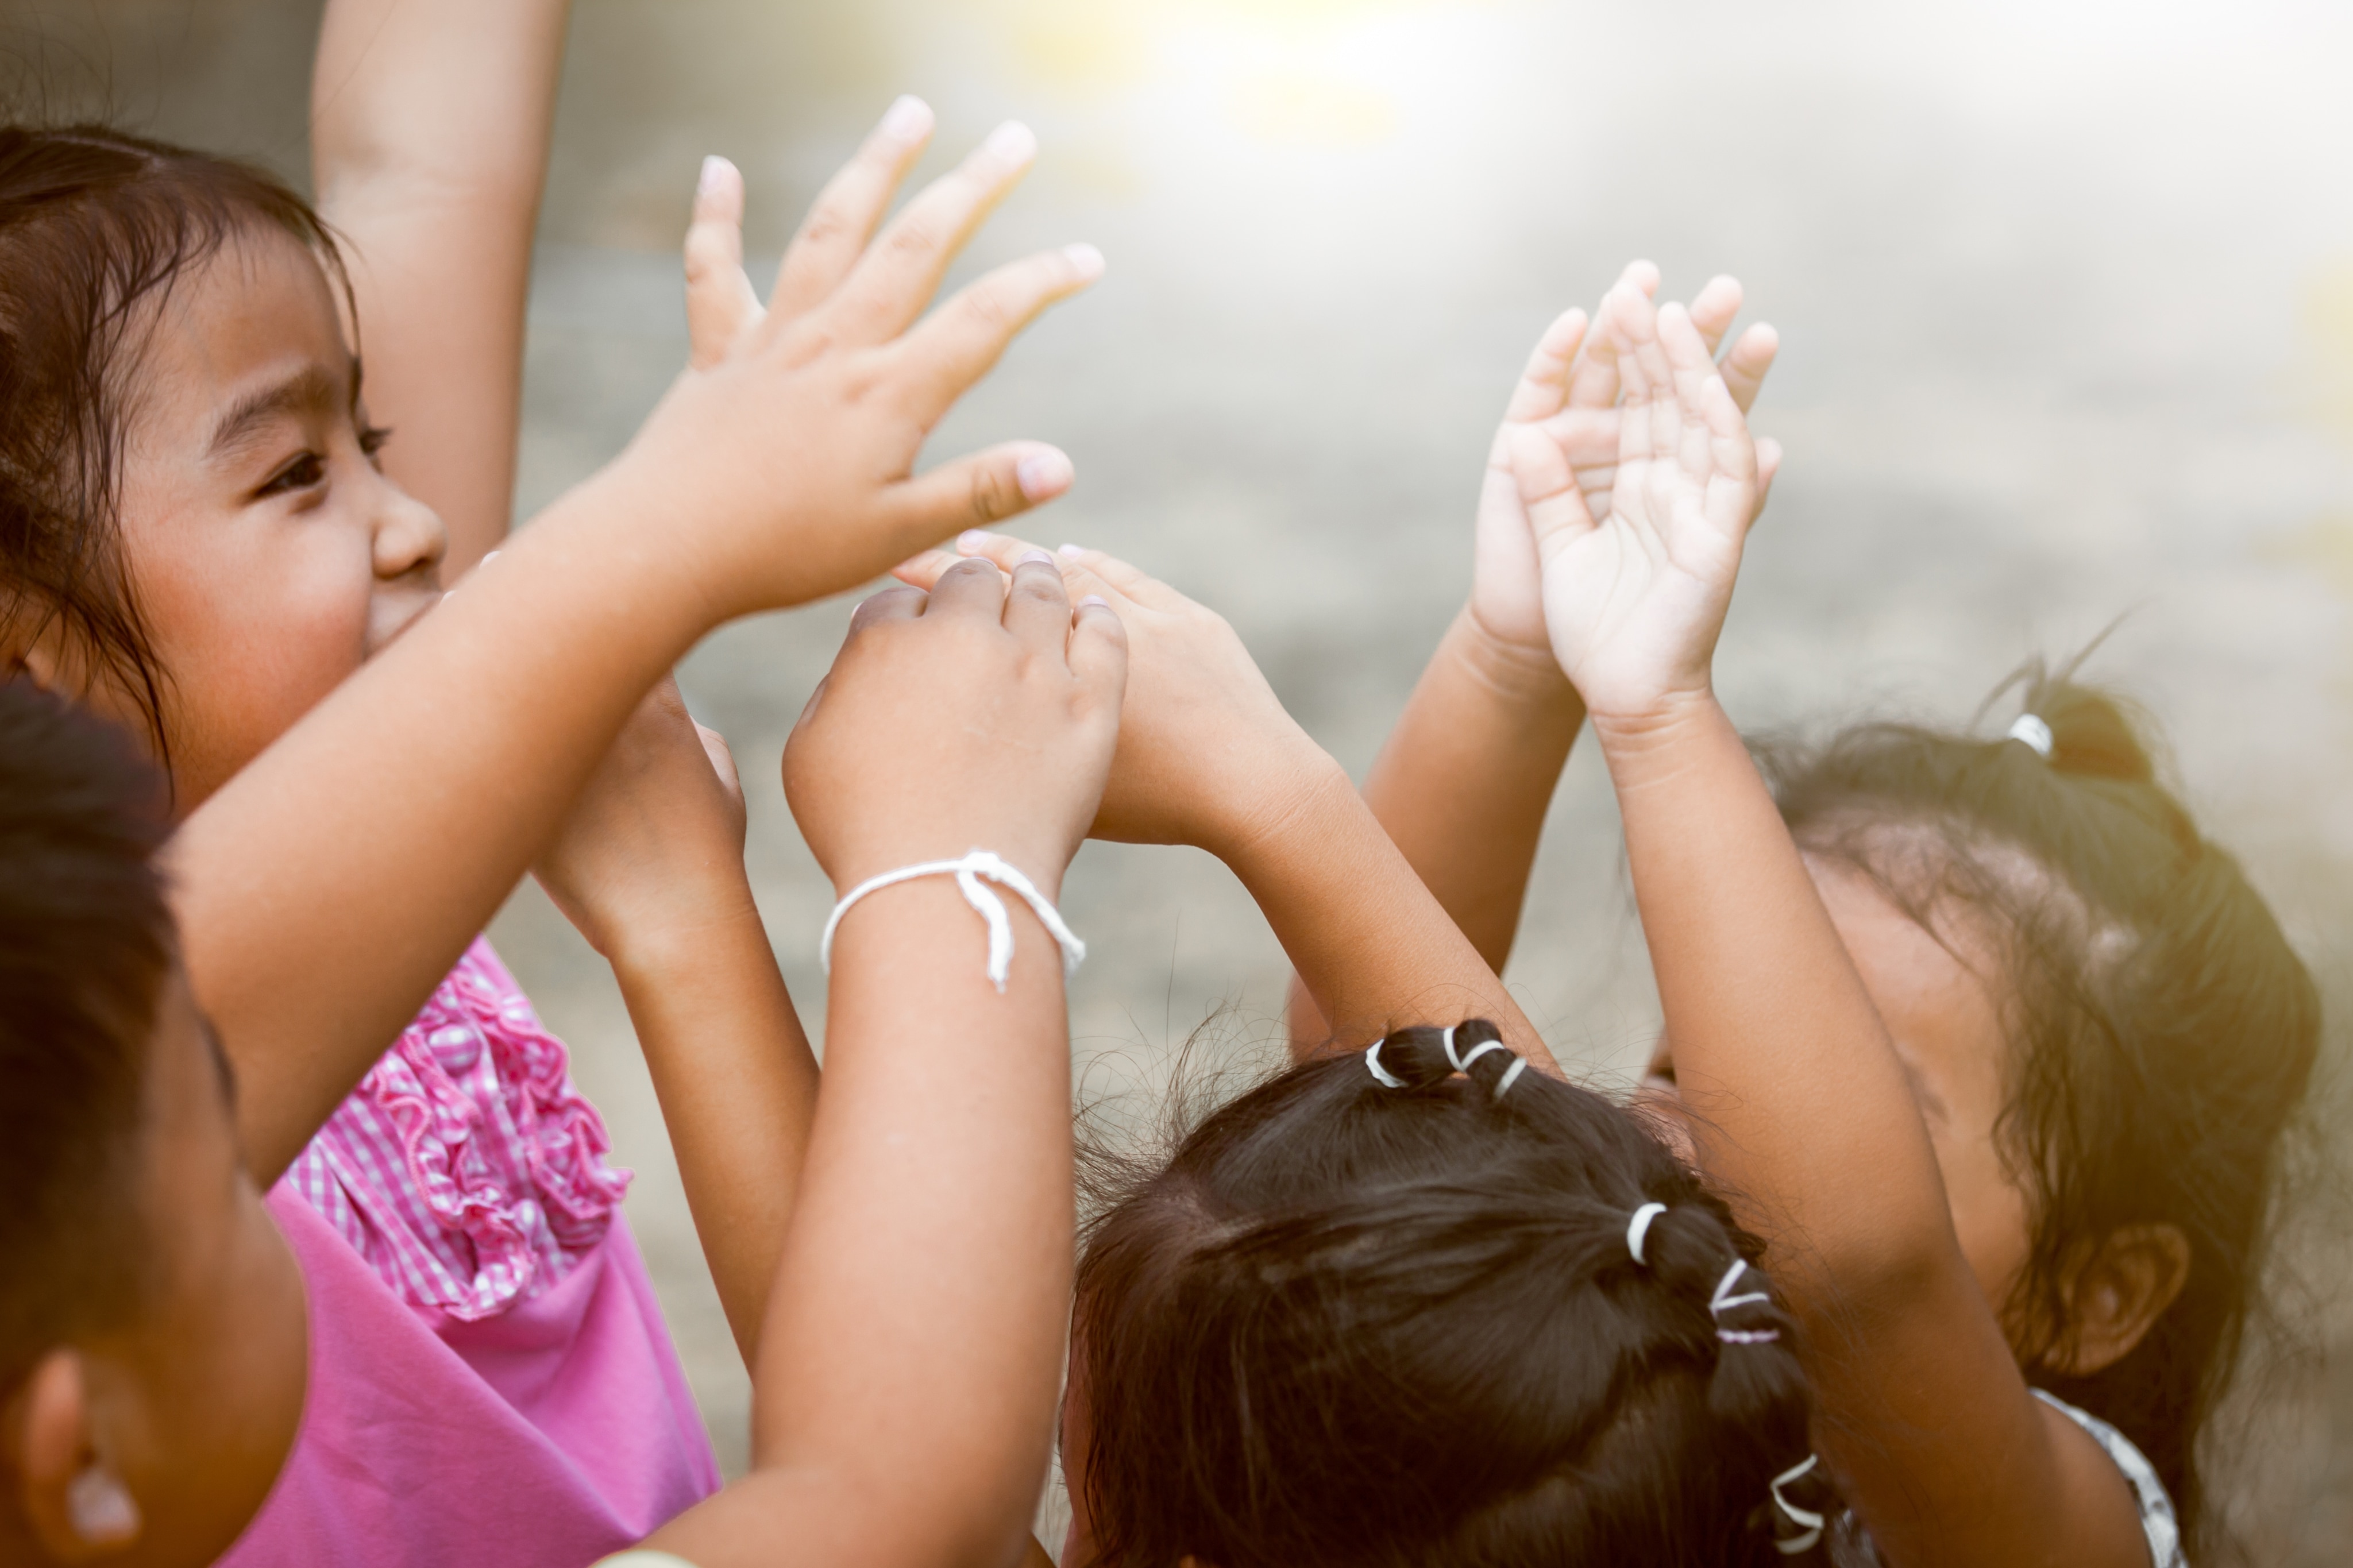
(1401, 1327)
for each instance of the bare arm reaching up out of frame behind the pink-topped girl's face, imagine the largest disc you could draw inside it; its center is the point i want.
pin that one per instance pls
(429, 147)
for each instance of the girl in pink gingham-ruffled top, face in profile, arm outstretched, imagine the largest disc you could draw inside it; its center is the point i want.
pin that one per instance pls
(206, 474)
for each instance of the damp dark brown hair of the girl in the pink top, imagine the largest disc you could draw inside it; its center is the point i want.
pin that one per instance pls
(93, 225)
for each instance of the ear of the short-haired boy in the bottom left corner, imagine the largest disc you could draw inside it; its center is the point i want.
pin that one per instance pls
(72, 1503)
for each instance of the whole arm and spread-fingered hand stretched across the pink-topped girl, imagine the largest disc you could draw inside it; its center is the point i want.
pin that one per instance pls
(778, 474)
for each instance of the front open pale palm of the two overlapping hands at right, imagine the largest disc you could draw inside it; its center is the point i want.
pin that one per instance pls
(1634, 601)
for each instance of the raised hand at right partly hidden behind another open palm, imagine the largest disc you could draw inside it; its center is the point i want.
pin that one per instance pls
(1571, 394)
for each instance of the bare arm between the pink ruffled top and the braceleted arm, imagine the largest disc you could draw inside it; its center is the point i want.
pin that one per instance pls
(651, 869)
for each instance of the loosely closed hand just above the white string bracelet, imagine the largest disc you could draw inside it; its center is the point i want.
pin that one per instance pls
(975, 716)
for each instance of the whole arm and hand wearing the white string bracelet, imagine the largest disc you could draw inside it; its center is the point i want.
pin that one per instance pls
(905, 1400)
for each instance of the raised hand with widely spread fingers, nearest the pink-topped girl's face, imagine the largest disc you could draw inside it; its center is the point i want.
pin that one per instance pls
(787, 448)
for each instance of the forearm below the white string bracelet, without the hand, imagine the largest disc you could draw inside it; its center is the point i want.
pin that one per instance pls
(924, 1292)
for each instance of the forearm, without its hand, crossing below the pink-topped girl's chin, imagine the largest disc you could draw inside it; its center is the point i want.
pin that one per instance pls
(314, 956)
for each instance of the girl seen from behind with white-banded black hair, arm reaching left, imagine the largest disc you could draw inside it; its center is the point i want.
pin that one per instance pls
(1411, 1304)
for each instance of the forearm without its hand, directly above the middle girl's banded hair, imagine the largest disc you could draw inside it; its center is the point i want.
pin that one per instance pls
(1371, 944)
